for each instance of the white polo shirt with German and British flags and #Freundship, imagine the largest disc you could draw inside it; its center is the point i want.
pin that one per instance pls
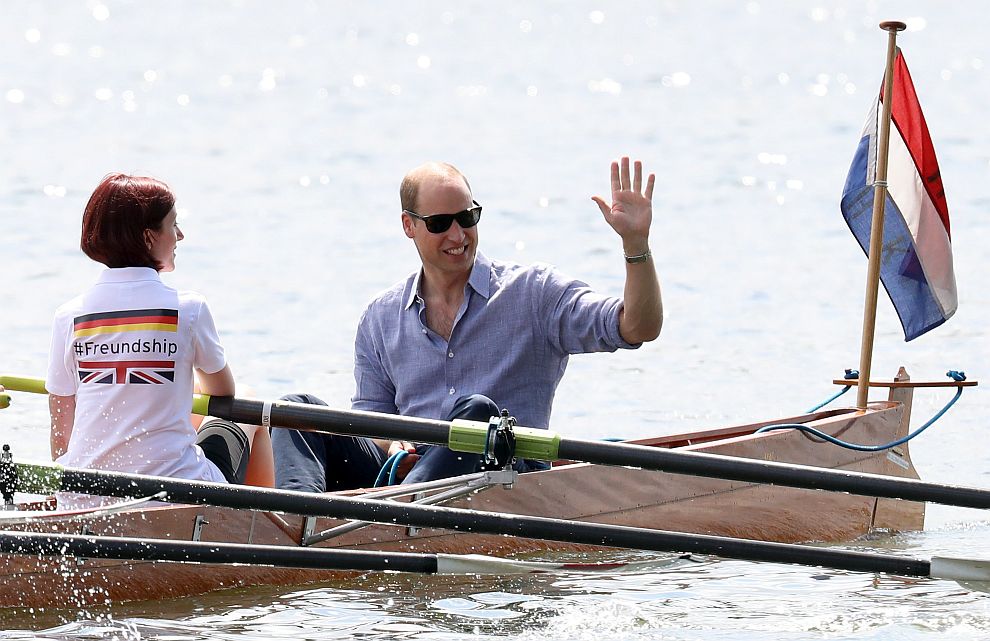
(126, 349)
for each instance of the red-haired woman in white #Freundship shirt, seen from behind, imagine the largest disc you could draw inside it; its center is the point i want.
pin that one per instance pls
(120, 371)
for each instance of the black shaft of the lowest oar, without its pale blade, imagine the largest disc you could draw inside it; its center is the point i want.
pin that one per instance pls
(110, 547)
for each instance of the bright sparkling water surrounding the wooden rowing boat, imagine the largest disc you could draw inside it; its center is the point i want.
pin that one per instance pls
(285, 129)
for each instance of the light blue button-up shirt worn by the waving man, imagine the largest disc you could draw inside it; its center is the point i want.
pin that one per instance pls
(511, 340)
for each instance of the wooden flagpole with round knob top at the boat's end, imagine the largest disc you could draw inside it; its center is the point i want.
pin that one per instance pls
(876, 229)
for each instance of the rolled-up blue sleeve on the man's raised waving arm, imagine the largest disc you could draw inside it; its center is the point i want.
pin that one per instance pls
(577, 319)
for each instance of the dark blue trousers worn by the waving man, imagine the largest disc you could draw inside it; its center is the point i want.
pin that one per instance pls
(318, 462)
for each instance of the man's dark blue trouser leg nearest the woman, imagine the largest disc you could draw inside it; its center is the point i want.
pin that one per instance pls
(316, 462)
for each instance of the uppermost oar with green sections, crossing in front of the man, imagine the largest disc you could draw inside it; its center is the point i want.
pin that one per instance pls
(546, 445)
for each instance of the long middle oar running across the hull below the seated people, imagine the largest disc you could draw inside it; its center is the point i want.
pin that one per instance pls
(48, 478)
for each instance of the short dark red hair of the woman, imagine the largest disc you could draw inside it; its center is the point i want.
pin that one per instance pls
(121, 208)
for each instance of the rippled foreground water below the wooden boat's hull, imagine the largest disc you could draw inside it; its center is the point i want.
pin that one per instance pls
(698, 599)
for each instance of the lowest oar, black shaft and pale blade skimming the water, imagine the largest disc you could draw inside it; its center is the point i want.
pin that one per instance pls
(112, 547)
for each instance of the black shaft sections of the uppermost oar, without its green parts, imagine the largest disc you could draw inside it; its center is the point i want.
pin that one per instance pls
(328, 420)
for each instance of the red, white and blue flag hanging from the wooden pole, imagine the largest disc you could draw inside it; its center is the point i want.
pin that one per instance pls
(916, 262)
